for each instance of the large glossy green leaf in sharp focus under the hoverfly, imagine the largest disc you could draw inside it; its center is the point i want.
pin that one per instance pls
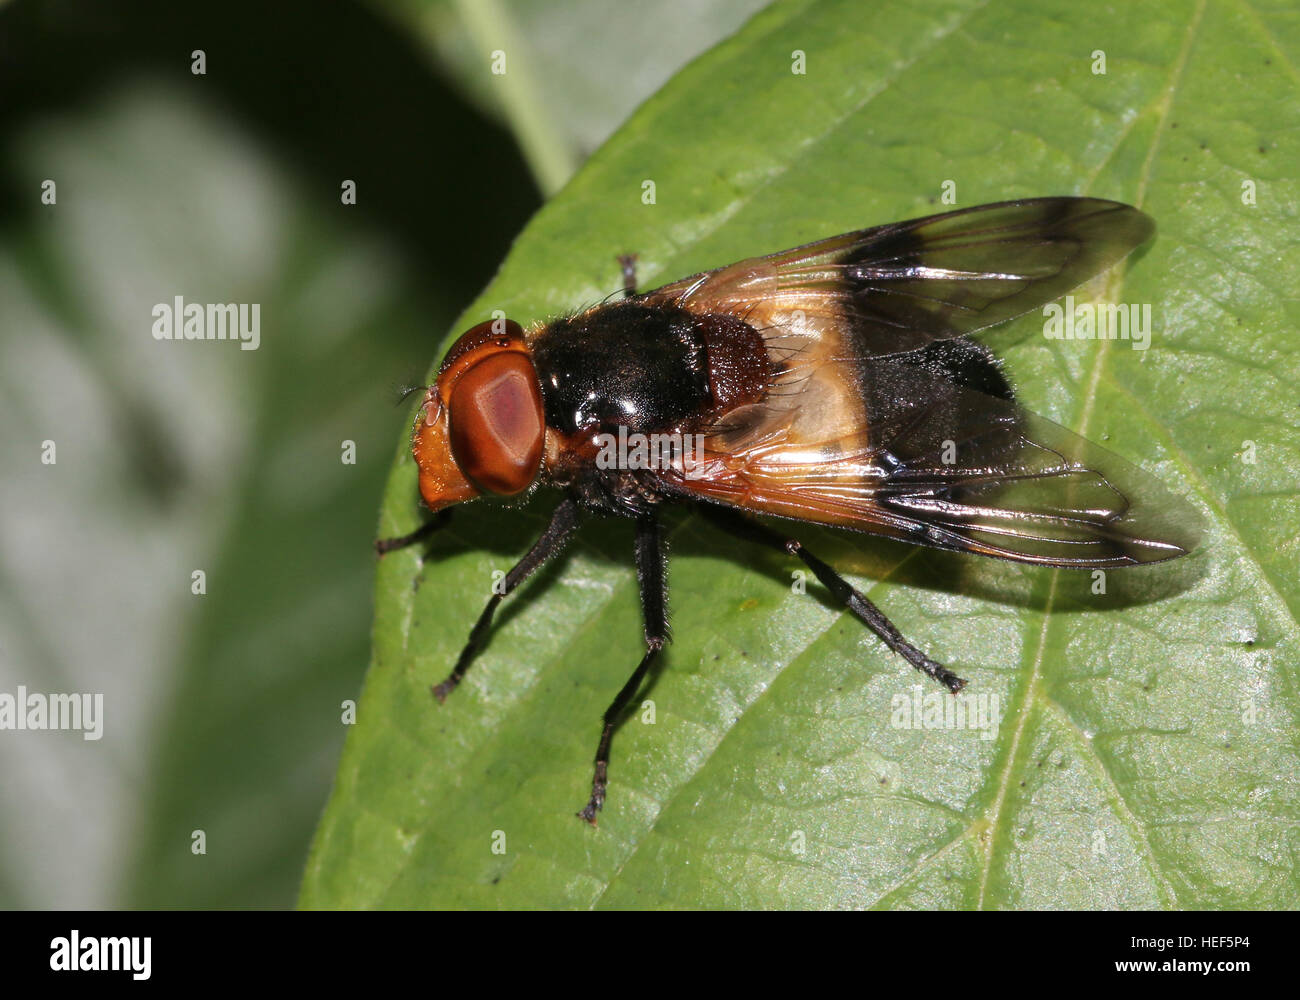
(1147, 752)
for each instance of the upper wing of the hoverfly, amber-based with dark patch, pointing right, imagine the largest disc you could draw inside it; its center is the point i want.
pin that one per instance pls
(899, 287)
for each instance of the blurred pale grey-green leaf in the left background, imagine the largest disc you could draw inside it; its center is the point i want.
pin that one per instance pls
(181, 458)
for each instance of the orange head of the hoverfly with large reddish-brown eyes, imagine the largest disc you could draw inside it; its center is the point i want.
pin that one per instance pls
(482, 426)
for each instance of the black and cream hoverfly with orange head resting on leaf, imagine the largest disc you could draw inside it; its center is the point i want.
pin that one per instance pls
(830, 384)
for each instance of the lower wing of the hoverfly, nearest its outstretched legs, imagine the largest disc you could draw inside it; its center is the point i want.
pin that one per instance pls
(941, 465)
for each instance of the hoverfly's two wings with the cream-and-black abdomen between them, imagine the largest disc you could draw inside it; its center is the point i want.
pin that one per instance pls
(879, 418)
